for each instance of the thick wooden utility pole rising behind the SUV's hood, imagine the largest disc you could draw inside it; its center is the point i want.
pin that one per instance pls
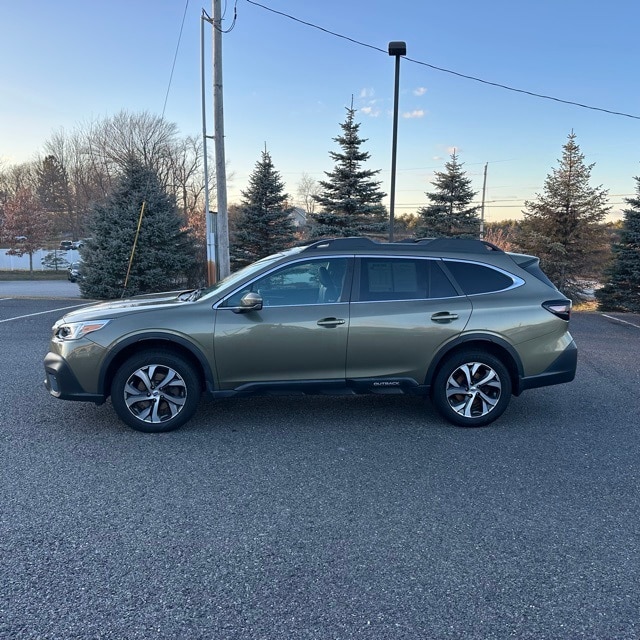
(222, 219)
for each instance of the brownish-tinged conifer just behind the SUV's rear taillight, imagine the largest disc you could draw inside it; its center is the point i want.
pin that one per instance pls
(563, 227)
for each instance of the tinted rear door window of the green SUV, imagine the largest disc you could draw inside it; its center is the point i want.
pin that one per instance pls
(403, 279)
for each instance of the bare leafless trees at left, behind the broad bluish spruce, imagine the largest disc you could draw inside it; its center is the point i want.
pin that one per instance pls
(56, 195)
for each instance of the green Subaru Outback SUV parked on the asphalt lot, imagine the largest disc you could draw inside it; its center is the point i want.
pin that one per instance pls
(457, 320)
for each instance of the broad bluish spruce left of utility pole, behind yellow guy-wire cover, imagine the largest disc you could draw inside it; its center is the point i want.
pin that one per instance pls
(164, 252)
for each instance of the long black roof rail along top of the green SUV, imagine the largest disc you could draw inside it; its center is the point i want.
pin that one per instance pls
(460, 245)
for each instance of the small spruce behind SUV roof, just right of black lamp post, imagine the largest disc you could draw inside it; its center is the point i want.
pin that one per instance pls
(449, 212)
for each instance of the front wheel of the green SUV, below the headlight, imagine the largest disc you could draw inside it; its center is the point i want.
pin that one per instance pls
(155, 391)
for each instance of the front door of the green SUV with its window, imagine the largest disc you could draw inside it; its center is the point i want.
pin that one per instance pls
(300, 334)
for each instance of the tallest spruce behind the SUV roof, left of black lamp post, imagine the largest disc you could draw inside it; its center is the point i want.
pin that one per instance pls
(350, 201)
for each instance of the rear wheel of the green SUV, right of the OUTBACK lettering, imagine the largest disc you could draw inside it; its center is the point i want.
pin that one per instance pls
(471, 388)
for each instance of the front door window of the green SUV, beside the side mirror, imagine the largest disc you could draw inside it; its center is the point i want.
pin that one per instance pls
(302, 283)
